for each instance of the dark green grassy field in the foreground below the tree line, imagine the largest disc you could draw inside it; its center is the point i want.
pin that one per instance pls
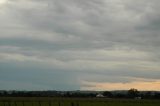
(75, 102)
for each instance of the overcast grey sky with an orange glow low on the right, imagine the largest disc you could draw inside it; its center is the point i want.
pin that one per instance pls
(79, 44)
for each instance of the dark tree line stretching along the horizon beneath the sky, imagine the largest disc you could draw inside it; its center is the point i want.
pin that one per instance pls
(131, 93)
